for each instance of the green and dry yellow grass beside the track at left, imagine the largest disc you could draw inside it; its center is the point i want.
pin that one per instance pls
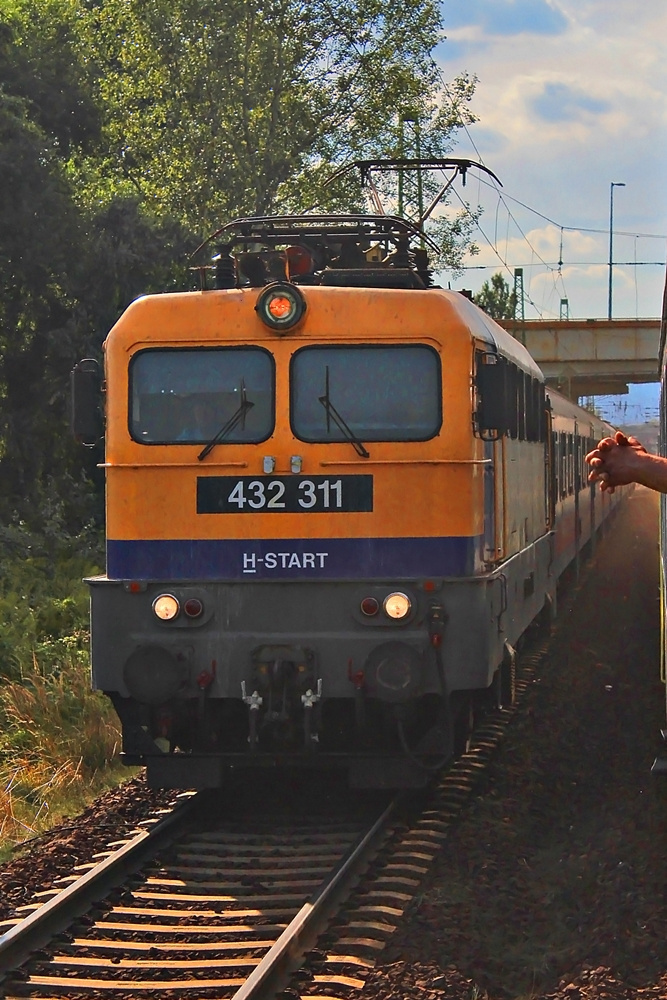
(58, 738)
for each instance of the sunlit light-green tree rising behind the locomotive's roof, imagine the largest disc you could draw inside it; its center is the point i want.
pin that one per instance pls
(217, 110)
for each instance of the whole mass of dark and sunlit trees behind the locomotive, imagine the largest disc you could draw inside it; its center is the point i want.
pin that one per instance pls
(131, 128)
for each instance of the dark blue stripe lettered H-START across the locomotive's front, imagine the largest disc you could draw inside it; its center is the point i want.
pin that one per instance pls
(290, 558)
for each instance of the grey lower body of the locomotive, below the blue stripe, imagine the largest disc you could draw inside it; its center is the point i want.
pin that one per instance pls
(296, 671)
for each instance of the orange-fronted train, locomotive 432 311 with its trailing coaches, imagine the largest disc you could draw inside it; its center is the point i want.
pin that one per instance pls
(336, 497)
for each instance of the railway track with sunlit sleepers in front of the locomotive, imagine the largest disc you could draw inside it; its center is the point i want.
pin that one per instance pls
(288, 901)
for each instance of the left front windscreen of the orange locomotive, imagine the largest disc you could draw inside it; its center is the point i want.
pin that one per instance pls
(180, 396)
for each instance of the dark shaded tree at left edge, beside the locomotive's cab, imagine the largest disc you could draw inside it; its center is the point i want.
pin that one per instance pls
(66, 269)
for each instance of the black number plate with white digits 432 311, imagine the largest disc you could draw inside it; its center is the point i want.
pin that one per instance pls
(283, 494)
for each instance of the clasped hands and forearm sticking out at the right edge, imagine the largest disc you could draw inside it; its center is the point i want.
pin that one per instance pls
(620, 460)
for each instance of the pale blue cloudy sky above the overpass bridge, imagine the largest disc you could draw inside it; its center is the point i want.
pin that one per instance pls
(571, 96)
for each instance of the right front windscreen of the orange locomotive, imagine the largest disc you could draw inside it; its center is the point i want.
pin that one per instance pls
(377, 393)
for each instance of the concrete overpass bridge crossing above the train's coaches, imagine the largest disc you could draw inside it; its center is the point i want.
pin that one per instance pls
(592, 357)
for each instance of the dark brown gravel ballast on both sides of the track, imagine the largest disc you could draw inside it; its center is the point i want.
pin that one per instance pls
(552, 885)
